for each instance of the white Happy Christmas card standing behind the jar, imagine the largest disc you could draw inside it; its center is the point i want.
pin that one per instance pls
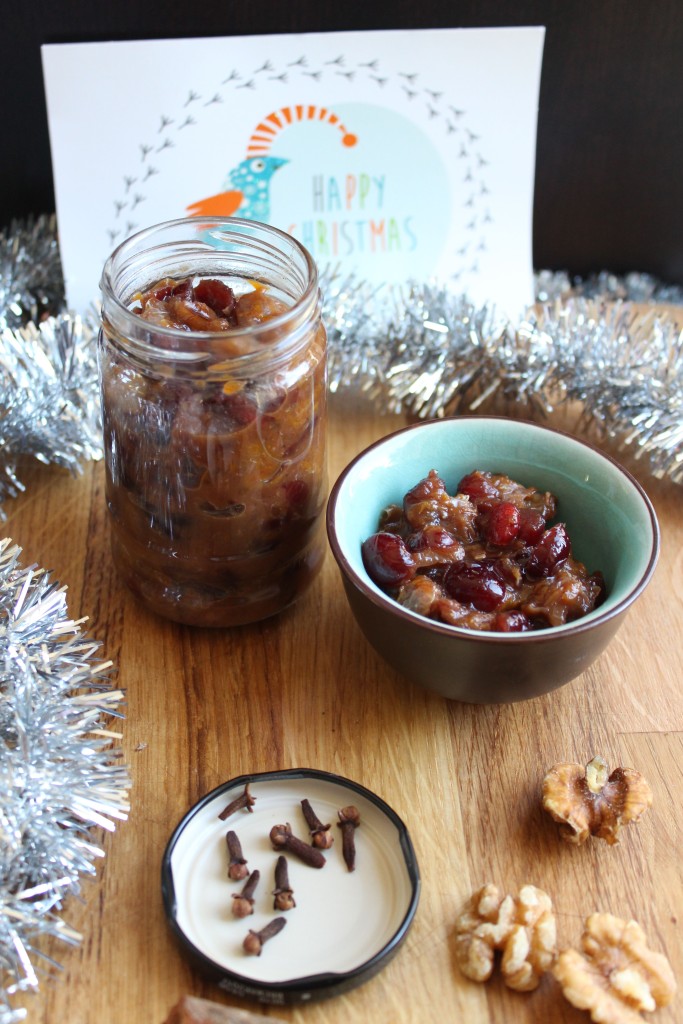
(437, 184)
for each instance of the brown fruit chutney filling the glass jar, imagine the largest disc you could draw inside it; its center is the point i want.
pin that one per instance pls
(216, 476)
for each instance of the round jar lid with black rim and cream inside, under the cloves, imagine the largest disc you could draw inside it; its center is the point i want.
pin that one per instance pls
(346, 927)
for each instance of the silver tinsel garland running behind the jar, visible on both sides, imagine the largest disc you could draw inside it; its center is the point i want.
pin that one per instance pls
(421, 350)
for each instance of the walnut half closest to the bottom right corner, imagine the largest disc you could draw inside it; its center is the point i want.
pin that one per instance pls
(617, 975)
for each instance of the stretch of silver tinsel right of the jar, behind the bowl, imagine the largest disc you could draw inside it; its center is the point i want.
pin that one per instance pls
(426, 353)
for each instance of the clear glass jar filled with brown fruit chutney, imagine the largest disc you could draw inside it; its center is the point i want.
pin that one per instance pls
(215, 440)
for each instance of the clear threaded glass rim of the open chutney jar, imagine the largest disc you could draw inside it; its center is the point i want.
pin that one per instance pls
(119, 314)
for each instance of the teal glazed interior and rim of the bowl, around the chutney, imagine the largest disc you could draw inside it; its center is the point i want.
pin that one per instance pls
(610, 519)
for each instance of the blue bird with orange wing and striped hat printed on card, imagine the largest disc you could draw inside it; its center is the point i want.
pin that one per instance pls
(248, 186)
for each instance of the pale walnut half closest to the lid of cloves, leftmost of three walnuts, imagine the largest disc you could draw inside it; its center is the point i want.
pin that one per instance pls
(523, 928)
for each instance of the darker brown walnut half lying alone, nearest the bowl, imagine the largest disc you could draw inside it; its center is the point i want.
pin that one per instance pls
(590, 801)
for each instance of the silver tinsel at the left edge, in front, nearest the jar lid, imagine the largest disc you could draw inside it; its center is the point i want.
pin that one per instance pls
(61, 774)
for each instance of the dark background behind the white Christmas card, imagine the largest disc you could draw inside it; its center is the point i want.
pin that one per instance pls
(610, 162)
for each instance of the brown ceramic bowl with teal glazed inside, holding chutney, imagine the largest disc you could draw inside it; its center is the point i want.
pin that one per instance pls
(610, 519)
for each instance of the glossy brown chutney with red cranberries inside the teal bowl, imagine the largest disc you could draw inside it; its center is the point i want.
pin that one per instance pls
(493, 561)
